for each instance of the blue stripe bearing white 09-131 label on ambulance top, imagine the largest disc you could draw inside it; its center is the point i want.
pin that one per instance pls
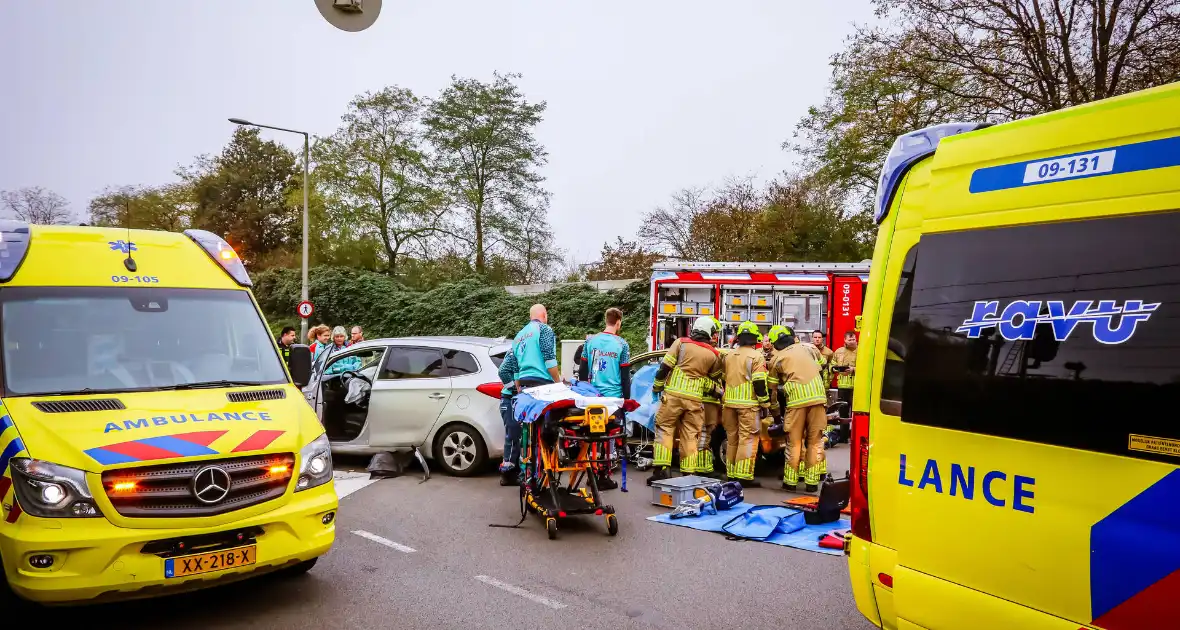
(1119, 160)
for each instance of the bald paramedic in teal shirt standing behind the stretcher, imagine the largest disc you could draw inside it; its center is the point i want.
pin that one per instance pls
(533, 362)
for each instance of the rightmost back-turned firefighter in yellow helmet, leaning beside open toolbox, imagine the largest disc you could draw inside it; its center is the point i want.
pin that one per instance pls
(798, 373)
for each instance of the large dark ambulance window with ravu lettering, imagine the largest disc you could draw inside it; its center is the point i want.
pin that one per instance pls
(1063, 334)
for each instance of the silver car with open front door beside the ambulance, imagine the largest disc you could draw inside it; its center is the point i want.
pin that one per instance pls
(438, 395)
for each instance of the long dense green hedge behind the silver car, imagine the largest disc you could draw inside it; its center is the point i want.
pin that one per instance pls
(345, 297)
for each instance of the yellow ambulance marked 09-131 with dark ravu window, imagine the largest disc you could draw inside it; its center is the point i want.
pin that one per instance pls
(1015, 439)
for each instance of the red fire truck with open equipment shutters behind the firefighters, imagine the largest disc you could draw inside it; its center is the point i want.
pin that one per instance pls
(805, 297)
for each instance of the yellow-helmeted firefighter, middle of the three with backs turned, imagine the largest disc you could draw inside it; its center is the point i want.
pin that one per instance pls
(746, 399)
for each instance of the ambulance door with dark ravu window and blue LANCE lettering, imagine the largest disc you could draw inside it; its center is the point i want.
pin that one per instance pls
(1037, 379)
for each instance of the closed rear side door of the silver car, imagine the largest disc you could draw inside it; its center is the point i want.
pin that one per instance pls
(409, 395)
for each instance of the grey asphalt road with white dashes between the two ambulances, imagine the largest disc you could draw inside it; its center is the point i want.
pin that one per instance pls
(422, 555)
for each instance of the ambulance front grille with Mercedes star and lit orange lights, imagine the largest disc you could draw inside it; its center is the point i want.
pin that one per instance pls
(167, 491)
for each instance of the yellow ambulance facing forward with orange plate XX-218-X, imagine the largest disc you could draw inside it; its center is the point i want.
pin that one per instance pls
(152, 439)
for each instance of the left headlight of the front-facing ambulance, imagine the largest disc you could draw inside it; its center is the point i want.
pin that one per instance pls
(49, 490)
